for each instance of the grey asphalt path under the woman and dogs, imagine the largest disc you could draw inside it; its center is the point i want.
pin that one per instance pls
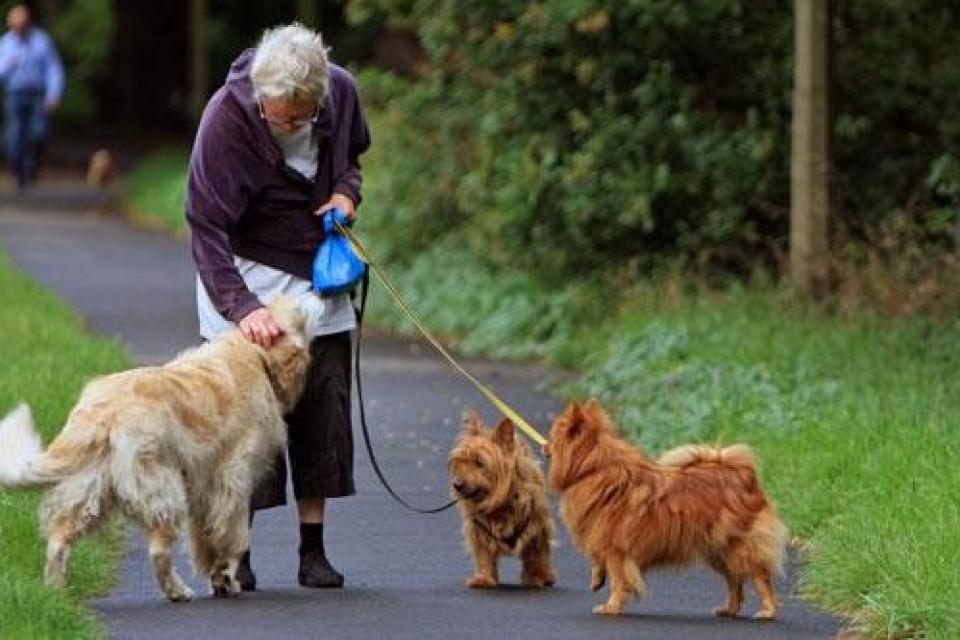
(404, 572)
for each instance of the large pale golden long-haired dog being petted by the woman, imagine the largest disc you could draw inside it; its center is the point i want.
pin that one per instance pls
(179, 444)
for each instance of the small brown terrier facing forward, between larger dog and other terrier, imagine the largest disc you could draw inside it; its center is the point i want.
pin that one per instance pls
(502, 499)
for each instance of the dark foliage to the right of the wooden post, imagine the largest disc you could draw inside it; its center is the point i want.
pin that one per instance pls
(894, 73)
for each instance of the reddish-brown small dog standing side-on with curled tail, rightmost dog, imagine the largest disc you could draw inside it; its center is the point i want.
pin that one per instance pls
(628, 513)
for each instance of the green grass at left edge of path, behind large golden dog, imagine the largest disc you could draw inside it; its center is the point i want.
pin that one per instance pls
(47, 357)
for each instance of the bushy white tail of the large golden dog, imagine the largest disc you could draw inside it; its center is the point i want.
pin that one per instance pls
(23, 462)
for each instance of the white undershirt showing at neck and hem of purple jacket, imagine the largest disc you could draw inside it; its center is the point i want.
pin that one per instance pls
(324, 315)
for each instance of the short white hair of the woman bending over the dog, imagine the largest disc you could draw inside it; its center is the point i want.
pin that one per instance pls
(290, 64)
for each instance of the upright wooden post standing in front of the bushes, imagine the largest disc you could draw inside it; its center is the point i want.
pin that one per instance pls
(810, 153)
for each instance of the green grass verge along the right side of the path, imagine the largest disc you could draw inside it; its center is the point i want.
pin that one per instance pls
(855, 421)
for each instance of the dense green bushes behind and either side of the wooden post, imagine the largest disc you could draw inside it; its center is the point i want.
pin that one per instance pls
(571, 135)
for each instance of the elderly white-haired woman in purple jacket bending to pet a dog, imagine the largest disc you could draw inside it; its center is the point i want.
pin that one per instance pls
(277, 147)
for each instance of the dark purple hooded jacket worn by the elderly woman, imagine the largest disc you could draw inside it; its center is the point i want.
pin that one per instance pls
(242, 198)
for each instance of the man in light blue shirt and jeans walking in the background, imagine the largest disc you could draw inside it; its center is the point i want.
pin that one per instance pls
(32, 76)
